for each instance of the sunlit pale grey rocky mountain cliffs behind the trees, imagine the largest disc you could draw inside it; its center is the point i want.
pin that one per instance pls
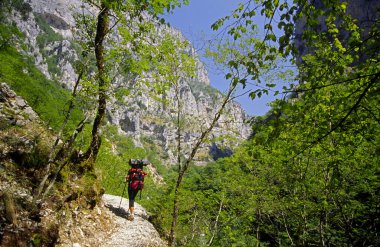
(147, 120)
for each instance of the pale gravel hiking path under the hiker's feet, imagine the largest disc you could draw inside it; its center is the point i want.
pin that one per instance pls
(137, 233)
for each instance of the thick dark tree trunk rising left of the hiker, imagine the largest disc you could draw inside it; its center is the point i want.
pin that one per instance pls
(101, 32)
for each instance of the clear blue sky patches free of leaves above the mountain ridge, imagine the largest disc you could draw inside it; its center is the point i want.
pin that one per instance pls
(194, 21)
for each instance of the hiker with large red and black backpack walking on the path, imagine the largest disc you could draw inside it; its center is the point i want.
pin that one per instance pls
(135, 180)
